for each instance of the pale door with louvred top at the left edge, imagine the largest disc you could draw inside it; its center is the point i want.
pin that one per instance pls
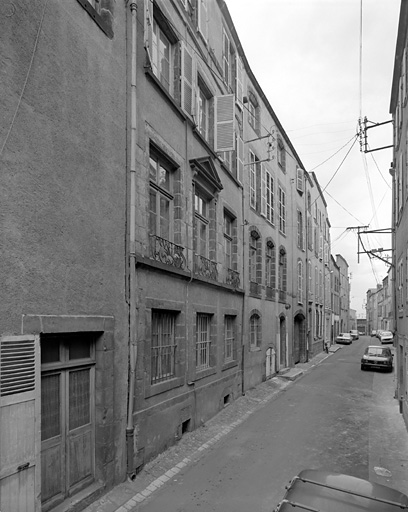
(19, 424)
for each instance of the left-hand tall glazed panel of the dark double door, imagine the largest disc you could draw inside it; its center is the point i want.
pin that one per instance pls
(50, 406)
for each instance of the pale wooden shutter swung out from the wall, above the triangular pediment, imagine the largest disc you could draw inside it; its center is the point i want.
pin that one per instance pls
(224, 107)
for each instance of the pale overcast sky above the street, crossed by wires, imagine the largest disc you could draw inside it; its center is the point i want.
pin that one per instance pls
(306, 57)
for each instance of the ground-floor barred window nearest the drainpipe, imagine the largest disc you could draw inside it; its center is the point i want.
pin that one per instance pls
(163, 346)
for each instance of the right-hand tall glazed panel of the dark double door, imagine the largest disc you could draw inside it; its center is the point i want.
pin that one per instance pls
(79, 398)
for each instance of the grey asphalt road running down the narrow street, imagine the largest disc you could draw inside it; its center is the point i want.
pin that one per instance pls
(325, 420)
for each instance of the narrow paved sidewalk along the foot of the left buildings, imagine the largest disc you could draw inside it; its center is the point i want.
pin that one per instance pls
(125, 497)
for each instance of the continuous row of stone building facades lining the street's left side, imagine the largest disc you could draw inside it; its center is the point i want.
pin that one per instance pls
(164, 248)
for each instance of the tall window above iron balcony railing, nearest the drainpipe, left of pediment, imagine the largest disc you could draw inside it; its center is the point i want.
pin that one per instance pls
(161, 197)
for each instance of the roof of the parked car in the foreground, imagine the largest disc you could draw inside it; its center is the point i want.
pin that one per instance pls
(319, 490)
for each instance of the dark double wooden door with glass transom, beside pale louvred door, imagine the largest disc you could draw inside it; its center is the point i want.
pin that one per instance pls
(67, 416)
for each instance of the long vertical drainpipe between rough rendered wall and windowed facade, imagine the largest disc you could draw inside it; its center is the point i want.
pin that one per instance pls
(131, 218)
